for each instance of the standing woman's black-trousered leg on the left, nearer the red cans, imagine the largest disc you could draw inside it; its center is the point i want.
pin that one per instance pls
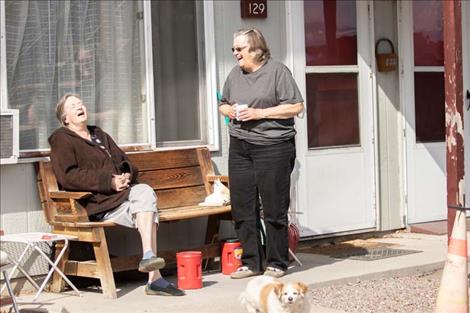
(244, 200)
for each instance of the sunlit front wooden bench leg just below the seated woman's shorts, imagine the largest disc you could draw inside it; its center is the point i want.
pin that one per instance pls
(103, 265)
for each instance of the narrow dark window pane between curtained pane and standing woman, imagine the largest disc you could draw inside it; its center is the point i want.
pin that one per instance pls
(179, 71)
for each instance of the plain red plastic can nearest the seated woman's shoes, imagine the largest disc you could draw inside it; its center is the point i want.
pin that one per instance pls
(189, 269)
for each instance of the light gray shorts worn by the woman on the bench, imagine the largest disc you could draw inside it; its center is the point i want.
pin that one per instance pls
(141, 198)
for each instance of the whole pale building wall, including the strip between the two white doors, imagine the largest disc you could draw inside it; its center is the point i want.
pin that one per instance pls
(20, 206)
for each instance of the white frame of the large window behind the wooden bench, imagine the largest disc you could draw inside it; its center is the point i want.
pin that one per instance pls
(209, 121)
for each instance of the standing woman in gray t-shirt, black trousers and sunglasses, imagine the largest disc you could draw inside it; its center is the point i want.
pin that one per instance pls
(262, 151)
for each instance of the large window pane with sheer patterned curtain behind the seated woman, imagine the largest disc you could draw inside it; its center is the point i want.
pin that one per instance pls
(93, 48)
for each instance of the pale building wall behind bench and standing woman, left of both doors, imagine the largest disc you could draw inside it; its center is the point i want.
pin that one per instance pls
(20, 205)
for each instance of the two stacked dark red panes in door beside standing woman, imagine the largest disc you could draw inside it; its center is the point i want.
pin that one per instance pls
(332, 74)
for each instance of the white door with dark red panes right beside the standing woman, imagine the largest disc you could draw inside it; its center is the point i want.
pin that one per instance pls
(335, 141)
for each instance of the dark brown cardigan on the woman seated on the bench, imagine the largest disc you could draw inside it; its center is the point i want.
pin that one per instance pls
(81, 165)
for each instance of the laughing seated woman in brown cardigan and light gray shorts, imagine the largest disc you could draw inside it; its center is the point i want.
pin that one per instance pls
(85, 158)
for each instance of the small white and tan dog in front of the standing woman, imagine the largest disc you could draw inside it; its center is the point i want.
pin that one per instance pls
(266, 294)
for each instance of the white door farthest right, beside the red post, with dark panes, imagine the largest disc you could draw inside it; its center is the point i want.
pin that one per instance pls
(423, 98)
